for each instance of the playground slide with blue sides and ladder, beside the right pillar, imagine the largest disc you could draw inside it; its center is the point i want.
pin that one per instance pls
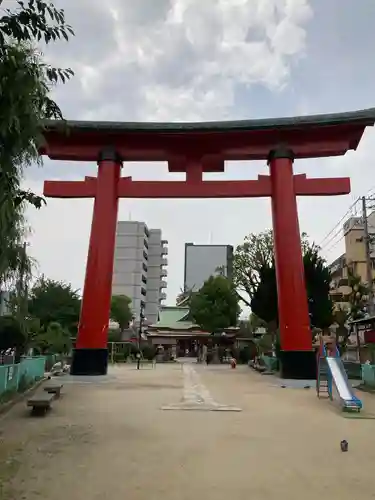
(331, 372)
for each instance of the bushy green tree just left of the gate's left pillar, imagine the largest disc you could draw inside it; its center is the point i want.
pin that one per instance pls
(55, 301)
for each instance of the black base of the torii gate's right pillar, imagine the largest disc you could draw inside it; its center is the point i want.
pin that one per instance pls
(298, 365)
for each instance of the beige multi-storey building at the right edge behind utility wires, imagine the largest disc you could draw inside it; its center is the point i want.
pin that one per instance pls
(353, 259)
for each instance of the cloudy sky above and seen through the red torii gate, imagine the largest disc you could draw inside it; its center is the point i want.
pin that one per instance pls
(193, 60)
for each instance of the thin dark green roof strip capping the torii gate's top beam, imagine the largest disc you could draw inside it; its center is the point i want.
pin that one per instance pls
(365, 116)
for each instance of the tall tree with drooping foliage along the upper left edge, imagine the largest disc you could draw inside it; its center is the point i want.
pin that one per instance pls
(25, 83)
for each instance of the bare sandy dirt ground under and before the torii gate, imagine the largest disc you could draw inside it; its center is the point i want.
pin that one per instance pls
(111, 439)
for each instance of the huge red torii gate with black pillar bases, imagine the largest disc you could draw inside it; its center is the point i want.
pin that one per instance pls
(195, 148)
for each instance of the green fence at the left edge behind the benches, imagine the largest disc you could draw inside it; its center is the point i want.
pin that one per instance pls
(26, 372)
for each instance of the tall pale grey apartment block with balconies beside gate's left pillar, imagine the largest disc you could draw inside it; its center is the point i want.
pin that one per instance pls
(140, 268)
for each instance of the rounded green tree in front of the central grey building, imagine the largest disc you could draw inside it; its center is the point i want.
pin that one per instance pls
(215, 306)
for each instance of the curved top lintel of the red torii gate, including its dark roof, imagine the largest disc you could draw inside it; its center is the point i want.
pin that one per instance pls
(210, 143)
